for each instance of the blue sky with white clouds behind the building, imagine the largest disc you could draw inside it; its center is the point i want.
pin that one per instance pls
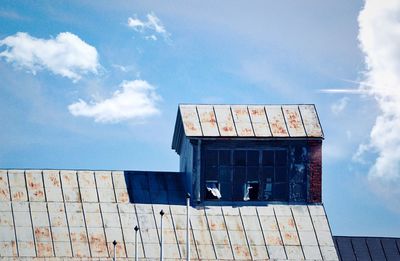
(96, 85)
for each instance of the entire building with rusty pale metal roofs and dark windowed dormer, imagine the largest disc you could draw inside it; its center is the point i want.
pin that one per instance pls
(254, 174)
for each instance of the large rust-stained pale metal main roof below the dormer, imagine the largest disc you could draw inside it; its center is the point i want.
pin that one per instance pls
(70, 214)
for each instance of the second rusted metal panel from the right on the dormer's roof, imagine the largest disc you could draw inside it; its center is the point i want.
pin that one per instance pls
(293, 121)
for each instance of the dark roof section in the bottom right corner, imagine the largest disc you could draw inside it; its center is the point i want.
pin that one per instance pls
(367, 248)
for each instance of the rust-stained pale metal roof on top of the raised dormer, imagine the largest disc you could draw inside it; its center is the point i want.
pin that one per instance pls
(260, 121)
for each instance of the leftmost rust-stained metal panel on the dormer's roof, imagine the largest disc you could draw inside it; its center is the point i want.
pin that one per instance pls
(190, 120)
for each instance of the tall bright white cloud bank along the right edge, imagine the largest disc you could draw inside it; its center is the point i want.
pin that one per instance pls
(379, 37)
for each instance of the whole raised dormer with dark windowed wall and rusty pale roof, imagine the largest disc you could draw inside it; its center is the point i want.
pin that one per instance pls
(252, 153)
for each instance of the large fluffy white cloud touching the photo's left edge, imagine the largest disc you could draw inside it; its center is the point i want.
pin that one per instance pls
(66, 55)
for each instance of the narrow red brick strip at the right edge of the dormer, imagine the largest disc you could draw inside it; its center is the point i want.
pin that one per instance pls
(315, 172)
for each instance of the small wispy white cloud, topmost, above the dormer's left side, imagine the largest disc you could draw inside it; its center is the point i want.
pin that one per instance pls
(153, 24)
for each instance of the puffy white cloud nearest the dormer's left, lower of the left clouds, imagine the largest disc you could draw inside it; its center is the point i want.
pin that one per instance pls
(136, 100)
